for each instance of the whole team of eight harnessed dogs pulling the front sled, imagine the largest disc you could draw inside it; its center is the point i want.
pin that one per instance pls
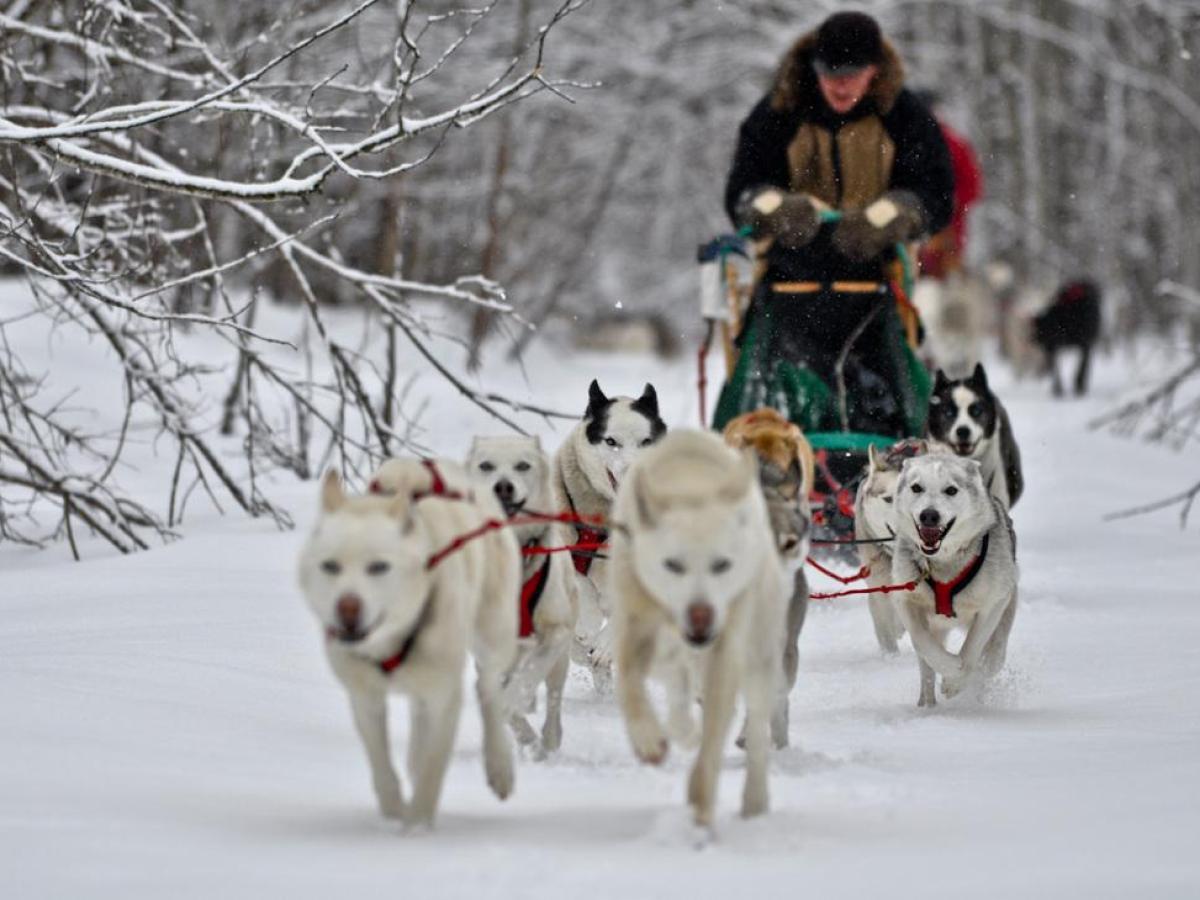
(683, 565)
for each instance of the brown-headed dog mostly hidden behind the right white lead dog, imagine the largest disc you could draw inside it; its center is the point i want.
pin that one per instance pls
(785, 472)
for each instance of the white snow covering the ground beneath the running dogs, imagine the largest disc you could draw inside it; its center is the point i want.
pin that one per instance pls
(171, 728)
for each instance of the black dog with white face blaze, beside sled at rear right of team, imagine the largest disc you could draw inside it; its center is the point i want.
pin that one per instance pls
(968, 419)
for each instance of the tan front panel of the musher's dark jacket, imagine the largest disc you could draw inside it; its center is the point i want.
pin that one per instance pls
(866, 154)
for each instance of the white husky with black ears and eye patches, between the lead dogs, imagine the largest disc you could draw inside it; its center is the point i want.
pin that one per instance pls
(589, 469)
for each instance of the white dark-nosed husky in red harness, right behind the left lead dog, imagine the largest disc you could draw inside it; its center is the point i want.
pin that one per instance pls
(517, 471)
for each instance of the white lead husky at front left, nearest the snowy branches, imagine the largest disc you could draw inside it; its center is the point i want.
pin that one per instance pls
(393, 623)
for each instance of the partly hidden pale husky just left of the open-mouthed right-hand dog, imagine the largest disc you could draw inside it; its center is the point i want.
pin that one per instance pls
(874, 525)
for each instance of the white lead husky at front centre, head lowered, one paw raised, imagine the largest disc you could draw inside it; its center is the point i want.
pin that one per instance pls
(699, 590)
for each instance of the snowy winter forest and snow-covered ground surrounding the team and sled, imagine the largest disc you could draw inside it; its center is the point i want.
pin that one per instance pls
(243, 245)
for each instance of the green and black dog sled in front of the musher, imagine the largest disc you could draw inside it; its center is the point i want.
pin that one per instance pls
(836, 358)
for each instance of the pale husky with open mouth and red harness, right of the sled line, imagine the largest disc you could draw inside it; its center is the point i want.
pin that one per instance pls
(956, 542)
